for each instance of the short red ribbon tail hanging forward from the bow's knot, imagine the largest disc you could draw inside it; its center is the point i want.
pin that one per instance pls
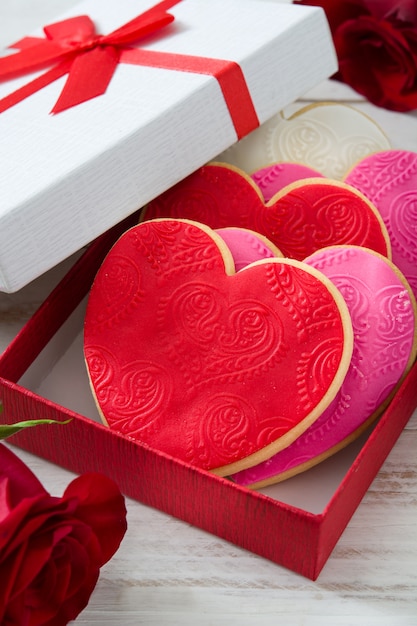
(89, 76)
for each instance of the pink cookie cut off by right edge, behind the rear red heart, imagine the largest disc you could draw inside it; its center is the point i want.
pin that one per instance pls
(389, 180)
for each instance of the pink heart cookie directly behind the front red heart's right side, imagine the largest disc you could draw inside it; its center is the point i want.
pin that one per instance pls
(383, 313)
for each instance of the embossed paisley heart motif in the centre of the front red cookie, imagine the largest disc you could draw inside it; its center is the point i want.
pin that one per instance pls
(213, 339)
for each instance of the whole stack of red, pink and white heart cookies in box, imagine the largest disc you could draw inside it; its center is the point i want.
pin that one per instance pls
(262, 313)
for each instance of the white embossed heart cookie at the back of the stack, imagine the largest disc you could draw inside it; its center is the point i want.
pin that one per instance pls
(327, 136)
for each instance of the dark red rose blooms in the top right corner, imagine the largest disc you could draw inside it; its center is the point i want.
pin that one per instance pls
(376, 45)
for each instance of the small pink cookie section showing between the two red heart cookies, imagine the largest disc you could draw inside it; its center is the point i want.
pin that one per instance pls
(246, 246)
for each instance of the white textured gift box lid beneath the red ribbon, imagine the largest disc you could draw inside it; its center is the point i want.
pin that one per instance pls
(67, 178)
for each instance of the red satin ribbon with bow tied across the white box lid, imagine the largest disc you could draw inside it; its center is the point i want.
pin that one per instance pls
(90, 61)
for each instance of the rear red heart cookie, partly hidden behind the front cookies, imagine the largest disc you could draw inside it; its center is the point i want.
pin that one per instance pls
(300, 219)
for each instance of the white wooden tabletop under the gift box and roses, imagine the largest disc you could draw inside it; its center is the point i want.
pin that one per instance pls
(168, 573)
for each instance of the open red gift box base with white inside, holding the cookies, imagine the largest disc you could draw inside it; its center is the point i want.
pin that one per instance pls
(295, 523)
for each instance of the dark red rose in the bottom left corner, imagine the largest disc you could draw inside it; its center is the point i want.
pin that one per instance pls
(51, 549)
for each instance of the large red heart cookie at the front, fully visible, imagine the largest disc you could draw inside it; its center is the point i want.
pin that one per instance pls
(216, 368)
